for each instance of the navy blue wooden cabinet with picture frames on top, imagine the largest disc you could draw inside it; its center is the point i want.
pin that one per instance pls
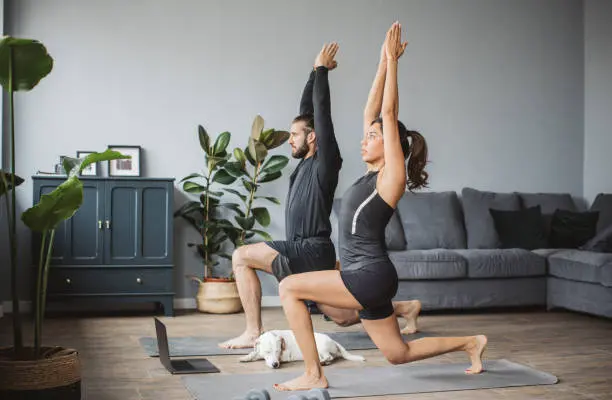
(118, 245)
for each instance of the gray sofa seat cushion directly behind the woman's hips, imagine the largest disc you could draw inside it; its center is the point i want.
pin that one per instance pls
(428, 264)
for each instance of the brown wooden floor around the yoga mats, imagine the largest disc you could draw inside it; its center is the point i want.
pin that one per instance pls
(576, 348)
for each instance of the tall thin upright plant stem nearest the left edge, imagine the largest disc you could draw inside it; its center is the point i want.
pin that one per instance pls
(18, 339)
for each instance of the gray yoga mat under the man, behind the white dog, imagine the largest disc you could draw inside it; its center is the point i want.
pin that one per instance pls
(208, 346)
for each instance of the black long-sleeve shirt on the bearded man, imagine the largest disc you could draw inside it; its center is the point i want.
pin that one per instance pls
(313, 183)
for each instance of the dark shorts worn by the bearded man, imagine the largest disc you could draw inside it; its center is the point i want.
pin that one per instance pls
(306, 255)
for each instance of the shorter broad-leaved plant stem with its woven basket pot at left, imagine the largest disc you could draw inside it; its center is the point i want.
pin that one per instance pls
(48, 371)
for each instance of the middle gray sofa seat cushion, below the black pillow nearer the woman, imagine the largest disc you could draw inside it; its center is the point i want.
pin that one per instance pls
(500, 263)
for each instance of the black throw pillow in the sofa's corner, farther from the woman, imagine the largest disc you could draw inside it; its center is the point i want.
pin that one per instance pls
(570, 230)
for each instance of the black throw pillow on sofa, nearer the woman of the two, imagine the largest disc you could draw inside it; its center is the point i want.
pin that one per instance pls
(520, 229)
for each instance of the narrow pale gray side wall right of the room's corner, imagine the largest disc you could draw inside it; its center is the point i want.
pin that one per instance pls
(598, 97)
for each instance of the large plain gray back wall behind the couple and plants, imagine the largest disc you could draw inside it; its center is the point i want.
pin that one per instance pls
(495, 86)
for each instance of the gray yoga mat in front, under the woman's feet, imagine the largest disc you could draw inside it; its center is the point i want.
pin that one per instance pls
(375, 381)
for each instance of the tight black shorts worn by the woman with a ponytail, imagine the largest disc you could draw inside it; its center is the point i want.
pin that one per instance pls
(373, 285)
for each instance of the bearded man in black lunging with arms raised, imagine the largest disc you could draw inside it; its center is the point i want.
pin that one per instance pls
(312, 185)
